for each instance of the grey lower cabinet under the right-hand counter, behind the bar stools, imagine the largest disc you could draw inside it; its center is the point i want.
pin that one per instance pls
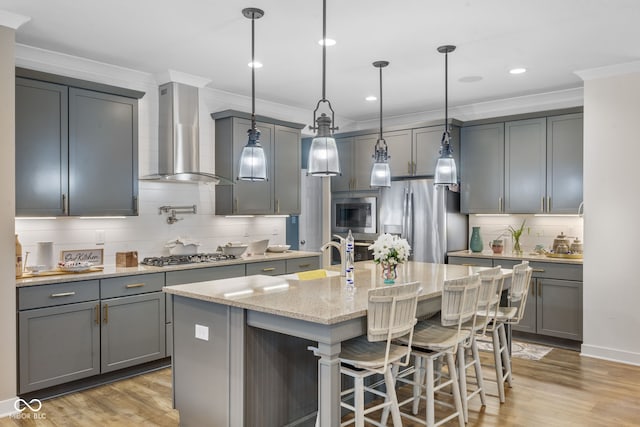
(554, 303)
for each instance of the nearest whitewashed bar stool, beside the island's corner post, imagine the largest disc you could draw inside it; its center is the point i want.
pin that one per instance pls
(391, 315)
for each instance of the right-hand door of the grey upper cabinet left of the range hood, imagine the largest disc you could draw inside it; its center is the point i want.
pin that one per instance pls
(103, 154)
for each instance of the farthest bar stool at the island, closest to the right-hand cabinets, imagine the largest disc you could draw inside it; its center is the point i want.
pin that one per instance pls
(517, 298)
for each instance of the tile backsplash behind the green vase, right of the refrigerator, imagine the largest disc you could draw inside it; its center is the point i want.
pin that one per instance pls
(539, 230)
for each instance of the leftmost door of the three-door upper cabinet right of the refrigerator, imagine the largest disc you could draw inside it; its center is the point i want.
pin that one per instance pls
(482, 168)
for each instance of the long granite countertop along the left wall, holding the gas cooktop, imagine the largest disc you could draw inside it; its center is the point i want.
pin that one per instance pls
(113, 271)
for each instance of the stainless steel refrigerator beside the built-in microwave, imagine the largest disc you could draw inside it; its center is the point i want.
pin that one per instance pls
(427, 216)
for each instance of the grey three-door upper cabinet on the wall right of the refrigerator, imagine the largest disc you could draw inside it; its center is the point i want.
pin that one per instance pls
(523, 166)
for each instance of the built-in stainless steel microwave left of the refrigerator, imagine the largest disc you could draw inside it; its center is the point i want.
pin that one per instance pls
(358, 214)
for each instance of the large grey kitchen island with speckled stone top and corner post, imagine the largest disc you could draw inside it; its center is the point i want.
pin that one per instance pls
(240, 352)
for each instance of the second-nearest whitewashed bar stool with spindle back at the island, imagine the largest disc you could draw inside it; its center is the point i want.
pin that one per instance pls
(434, 341)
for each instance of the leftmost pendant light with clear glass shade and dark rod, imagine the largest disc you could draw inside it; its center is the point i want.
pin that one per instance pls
(253, 163)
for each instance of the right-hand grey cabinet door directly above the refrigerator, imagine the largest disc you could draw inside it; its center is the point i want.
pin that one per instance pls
(426, 148)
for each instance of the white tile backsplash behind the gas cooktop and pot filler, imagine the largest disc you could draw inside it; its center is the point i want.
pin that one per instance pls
(149, 232)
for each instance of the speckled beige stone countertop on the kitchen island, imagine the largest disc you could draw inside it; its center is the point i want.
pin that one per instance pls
(324, 300)
